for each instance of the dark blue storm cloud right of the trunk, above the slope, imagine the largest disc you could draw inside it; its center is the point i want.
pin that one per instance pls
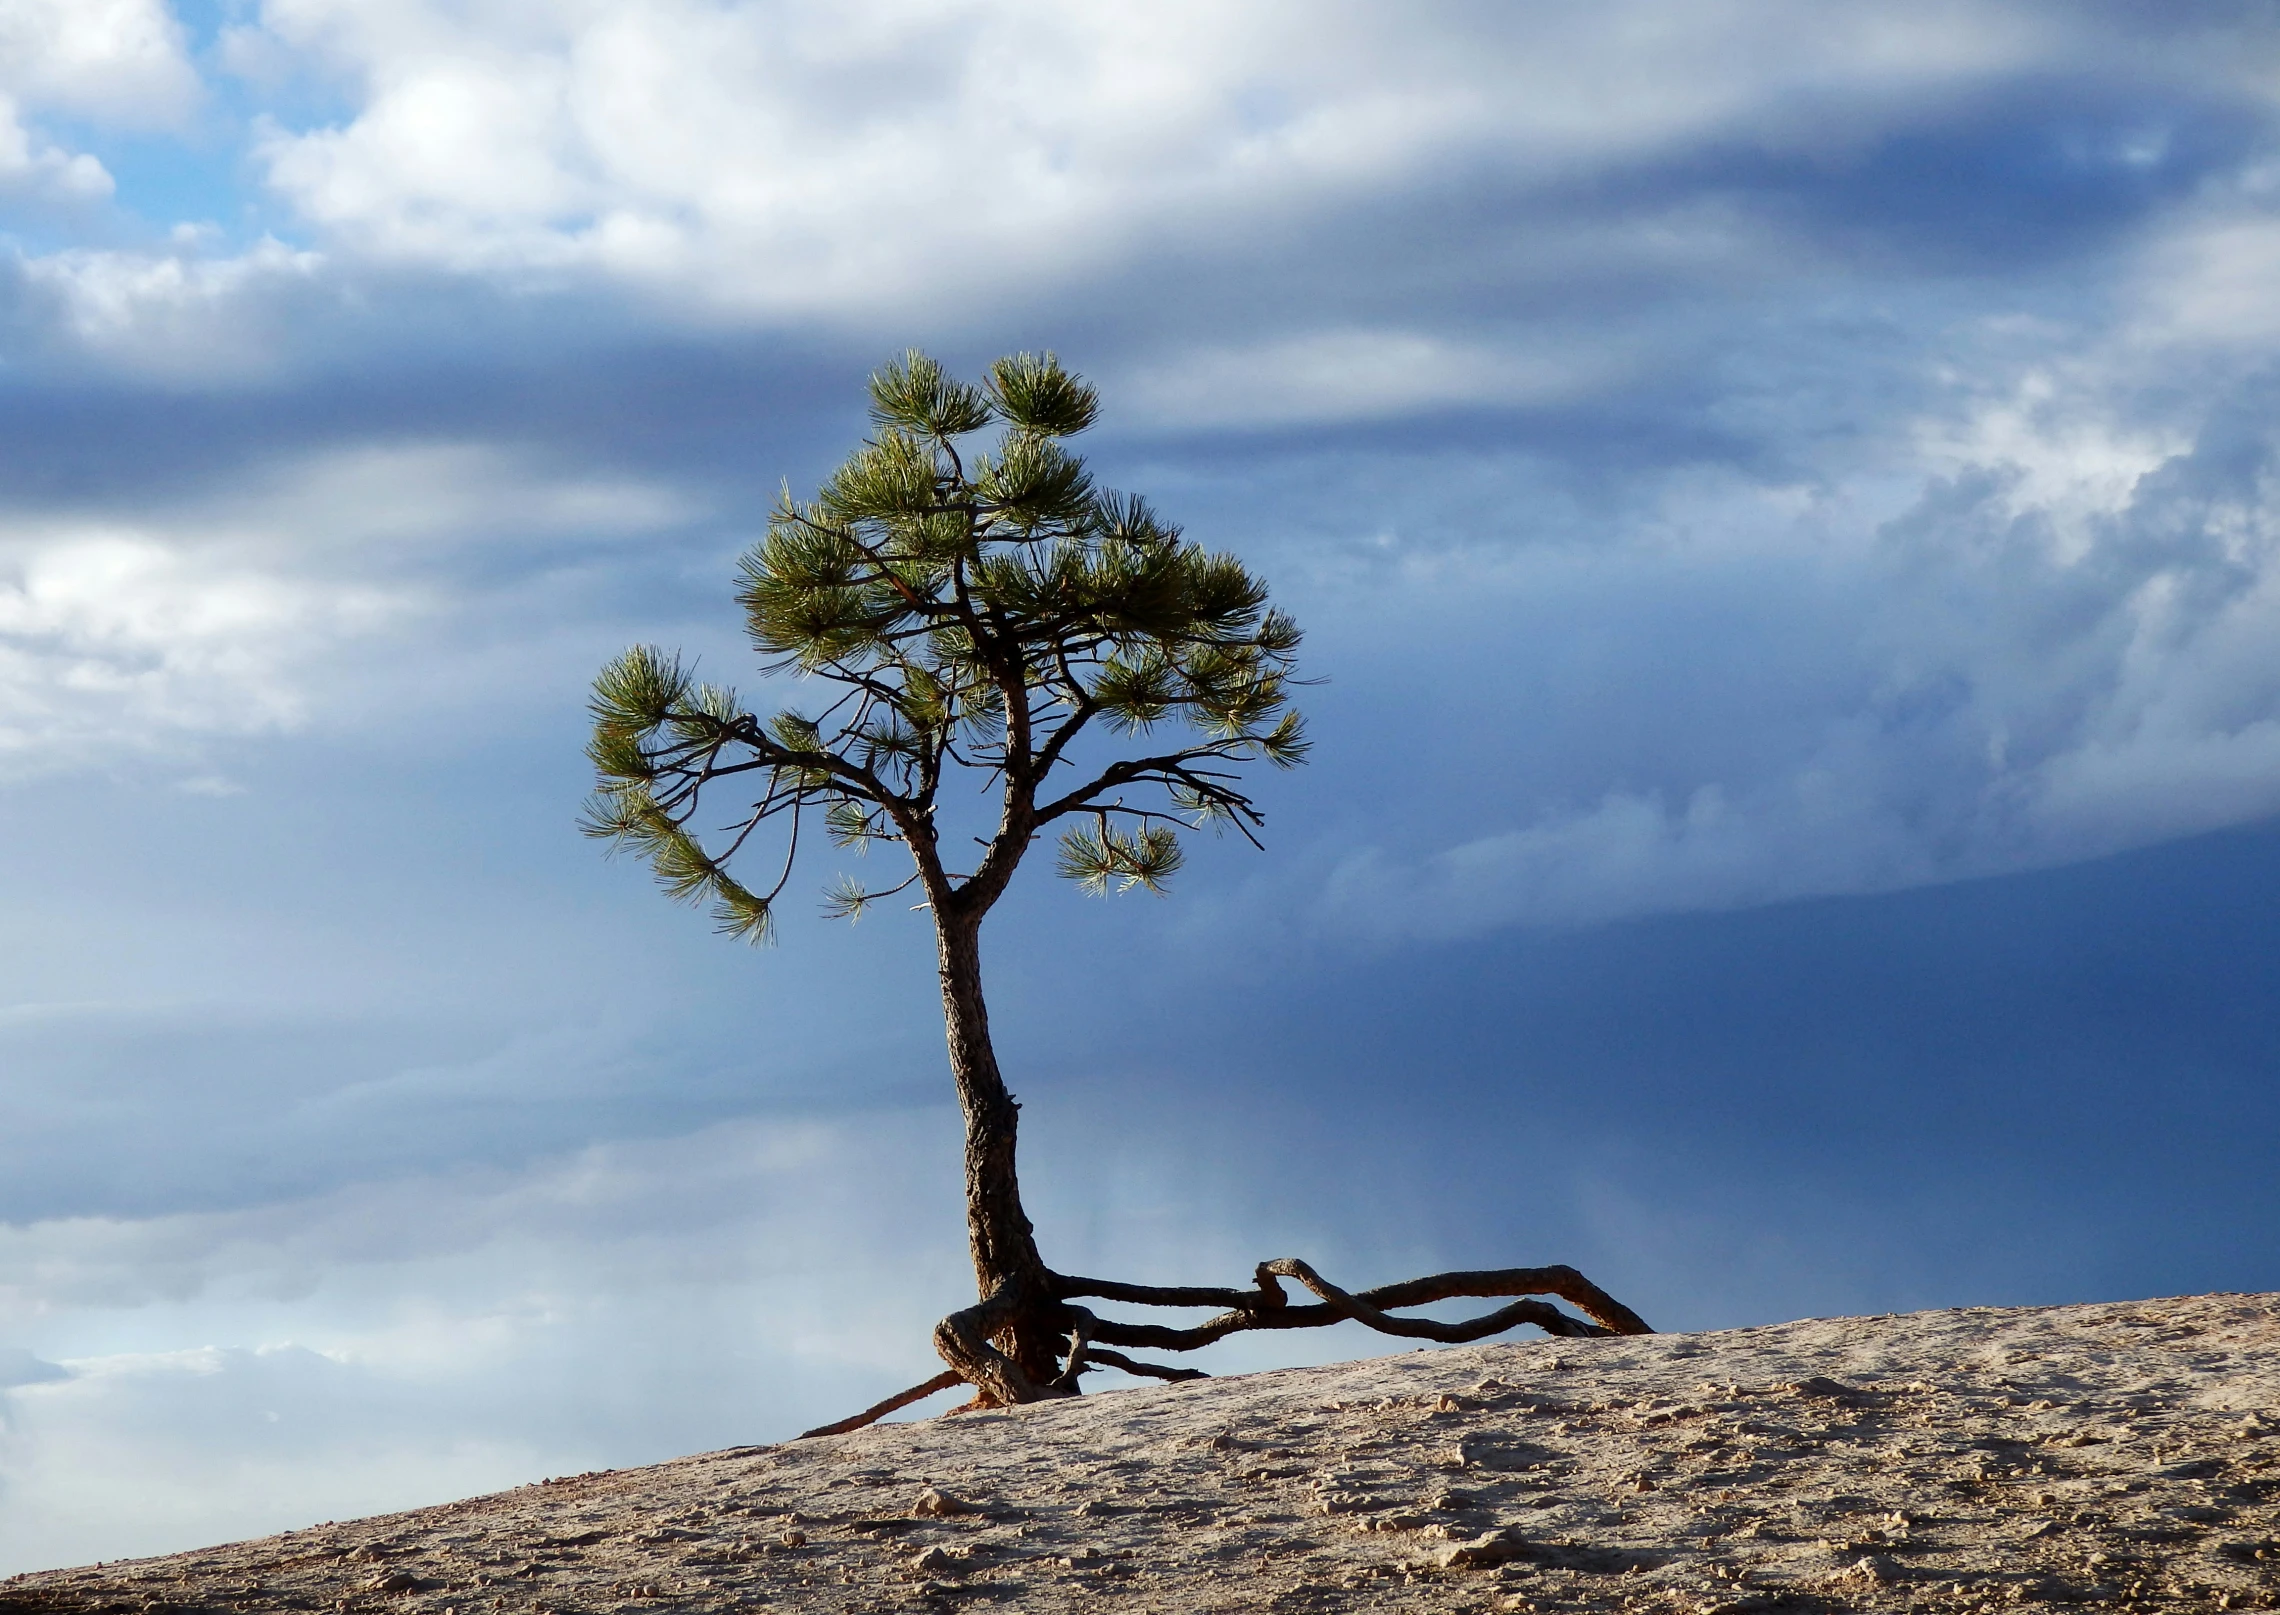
(2074, 1053)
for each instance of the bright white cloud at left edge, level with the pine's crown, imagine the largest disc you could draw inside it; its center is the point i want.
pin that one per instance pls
(238, 610)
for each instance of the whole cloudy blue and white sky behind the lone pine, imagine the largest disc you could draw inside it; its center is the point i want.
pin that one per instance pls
(1786, 510)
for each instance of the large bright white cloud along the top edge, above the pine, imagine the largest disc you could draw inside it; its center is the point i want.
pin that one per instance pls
(956, 154)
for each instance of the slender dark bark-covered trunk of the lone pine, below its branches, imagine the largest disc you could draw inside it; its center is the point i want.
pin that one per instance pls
(997, 1228)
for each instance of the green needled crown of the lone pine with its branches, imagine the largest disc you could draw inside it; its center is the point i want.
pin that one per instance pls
(963, 608)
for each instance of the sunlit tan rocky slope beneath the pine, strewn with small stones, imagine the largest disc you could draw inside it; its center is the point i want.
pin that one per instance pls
(1948, 1461)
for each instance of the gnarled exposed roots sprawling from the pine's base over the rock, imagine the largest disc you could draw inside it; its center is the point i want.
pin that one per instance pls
(968, 1338)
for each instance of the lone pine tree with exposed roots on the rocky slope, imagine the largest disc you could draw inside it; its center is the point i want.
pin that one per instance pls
(988, 615)
